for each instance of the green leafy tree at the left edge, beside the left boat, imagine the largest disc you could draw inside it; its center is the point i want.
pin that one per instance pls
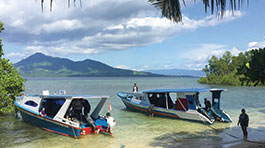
(11, 83)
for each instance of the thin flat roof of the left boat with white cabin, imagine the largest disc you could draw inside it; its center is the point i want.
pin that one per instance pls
(72, 96)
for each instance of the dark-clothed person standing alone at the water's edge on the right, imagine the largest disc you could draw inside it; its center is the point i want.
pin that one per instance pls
(243, 121)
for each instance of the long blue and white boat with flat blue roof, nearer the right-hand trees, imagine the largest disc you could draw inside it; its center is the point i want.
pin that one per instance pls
(176, 103)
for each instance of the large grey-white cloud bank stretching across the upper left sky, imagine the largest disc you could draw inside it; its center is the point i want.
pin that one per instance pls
(93, 29)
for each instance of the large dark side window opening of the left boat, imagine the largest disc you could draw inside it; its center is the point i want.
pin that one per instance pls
(52, 106)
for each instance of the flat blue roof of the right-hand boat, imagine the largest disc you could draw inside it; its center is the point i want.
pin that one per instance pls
(187, 90)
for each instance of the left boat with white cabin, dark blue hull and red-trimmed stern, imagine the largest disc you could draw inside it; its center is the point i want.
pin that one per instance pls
(56, 109)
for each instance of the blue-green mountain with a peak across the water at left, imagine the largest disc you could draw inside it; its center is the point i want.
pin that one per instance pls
(40, 65)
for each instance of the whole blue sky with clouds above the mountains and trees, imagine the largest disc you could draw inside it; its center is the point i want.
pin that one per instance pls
(128, 34)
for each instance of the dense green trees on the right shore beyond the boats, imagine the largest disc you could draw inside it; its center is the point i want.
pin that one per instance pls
(246, 69)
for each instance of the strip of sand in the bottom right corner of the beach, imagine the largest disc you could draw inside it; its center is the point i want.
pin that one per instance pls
(250, 144)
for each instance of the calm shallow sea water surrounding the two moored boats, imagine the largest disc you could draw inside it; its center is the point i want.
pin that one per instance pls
(137, 130)
